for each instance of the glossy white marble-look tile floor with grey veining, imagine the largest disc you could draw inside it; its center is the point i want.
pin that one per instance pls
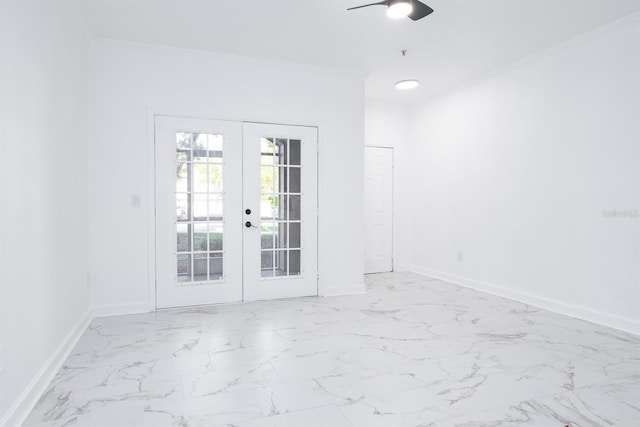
(413, 351)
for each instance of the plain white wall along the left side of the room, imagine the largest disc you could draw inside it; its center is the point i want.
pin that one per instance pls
(44, 299)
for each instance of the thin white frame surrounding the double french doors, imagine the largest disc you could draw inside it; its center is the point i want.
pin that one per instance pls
(150, 191)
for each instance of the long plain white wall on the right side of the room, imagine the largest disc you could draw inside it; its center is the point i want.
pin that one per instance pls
(516, 173)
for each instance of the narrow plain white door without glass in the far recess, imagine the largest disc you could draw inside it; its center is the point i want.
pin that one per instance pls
(378, 196)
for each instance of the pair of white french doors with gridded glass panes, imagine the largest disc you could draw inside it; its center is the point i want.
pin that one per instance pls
(236, 211)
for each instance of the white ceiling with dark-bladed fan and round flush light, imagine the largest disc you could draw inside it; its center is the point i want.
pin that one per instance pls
(461, 40)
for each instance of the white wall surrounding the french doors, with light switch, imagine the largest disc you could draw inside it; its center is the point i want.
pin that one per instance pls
(130, 82)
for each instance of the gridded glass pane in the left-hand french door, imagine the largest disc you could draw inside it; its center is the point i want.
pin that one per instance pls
(199, 199)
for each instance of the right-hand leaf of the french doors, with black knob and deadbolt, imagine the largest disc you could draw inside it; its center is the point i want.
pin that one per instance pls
(280, 191)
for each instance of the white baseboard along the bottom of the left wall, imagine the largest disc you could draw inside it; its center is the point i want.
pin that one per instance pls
(22, 407)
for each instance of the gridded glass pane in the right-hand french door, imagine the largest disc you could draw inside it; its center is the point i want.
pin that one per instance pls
(280, 204)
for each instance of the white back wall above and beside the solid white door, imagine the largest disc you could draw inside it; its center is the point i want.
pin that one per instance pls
(388, 125)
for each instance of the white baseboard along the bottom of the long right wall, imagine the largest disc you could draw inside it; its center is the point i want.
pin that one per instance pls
(601, 318)
